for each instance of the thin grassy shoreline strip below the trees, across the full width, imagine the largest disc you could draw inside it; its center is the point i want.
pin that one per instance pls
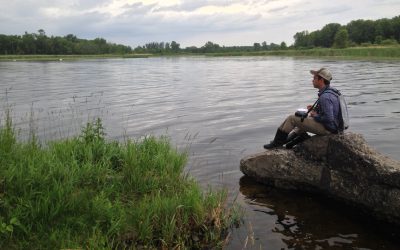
(374, 53)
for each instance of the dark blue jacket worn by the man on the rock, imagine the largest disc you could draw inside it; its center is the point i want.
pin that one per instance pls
(328, 109)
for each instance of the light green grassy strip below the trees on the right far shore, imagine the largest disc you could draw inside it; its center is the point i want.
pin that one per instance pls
(347, 53)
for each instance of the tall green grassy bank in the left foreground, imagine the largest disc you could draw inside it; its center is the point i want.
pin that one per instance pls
(88, 193)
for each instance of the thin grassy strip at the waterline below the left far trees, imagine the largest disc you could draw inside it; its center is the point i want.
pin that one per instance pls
(67, 57)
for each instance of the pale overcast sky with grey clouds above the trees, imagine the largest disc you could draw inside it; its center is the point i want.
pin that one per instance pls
(188, 22)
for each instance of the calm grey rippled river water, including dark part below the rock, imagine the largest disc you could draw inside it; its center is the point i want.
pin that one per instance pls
(221, 109)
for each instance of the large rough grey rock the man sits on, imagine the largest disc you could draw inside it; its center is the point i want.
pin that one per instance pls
(342, 166)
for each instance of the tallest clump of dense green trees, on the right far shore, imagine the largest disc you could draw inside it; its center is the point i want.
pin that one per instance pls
(358, 32)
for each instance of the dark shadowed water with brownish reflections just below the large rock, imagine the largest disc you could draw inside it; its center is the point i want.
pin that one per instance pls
(305, 221)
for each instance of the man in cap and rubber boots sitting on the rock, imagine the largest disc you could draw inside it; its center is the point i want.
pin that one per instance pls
(323, 117)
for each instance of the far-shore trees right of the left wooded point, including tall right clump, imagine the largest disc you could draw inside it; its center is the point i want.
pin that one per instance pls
(358, 32)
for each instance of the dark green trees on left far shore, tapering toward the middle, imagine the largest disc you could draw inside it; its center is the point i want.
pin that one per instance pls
(41, 44)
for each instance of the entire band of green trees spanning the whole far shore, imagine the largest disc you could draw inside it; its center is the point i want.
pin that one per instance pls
(358, 32)
